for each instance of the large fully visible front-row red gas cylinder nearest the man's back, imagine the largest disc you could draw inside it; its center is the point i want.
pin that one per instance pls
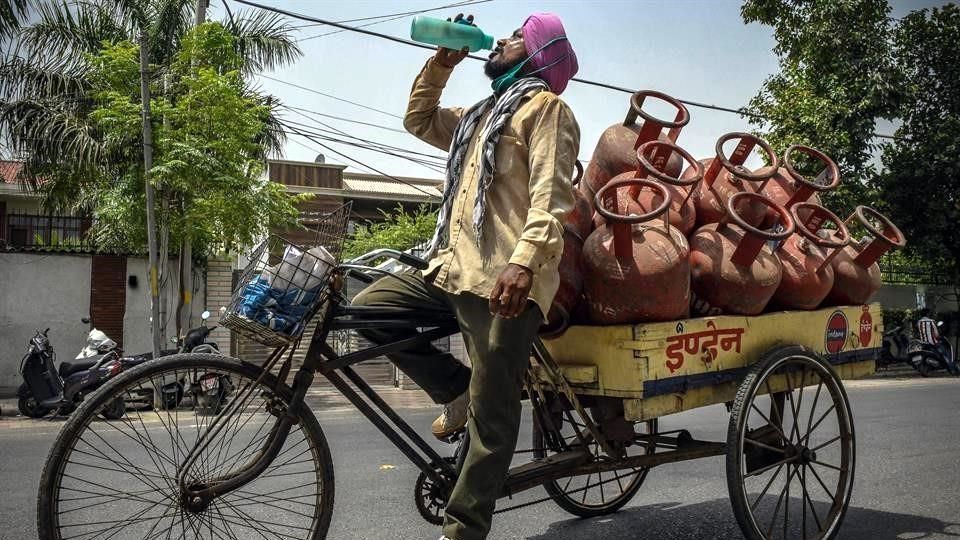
(635, 269)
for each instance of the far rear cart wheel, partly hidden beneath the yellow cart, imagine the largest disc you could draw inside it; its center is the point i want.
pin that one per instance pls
(594, 494)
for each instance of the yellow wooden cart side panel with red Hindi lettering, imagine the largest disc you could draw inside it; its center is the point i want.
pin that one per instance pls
(648, 360)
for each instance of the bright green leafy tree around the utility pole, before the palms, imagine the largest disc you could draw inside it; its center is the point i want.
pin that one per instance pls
(206, 151)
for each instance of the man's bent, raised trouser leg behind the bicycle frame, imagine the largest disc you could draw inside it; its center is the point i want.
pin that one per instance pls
(438, 373)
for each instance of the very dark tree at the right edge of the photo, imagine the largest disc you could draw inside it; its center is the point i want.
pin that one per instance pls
(922, 165)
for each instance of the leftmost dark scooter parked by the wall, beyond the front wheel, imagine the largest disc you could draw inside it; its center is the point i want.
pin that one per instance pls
(47, 388)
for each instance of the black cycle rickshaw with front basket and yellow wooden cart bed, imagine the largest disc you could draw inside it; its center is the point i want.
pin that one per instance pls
(261, 468)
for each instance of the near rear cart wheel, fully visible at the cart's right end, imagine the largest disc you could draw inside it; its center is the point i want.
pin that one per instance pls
(790, 449)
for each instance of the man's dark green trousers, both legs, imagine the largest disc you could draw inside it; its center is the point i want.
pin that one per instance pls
(499, 351)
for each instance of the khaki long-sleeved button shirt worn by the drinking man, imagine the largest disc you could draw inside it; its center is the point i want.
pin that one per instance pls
(530, 195)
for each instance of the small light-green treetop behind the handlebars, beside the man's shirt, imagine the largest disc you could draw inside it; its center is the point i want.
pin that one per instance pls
(399, 230)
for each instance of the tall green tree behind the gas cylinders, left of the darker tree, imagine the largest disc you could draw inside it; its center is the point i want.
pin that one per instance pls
(837, 77)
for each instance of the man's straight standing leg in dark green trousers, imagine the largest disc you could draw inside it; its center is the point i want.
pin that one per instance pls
(499, 352)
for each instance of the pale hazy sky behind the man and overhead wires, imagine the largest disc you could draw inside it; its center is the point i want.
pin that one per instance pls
(697, 50)
